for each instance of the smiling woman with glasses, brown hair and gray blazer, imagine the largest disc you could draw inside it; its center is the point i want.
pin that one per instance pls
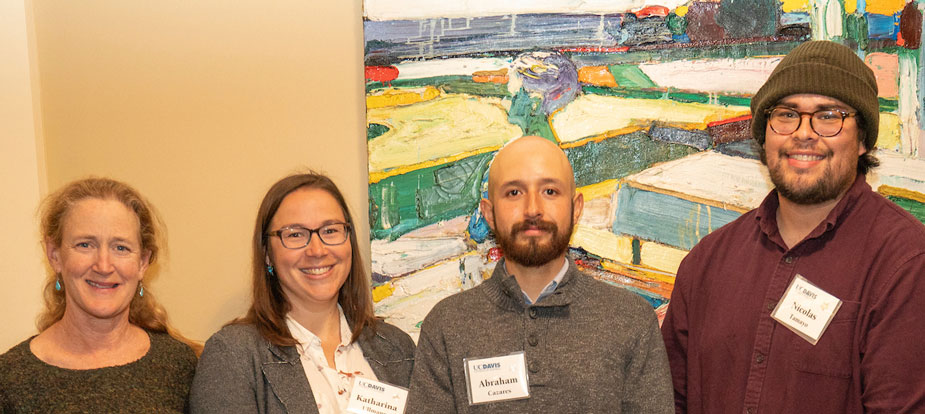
(310, 332)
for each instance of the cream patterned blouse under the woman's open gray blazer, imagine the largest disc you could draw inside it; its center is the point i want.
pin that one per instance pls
(331, 386)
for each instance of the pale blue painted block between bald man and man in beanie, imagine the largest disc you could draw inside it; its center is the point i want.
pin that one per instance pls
(666, 219)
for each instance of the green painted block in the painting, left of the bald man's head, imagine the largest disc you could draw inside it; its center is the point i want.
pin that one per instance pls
(402, 203)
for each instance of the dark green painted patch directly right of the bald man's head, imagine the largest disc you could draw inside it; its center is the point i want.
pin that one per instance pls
(621, 156)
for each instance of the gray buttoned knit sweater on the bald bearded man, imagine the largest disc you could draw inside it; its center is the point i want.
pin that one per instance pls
(590, 348)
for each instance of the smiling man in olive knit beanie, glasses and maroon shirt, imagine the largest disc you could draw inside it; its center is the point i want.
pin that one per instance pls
(814, 302)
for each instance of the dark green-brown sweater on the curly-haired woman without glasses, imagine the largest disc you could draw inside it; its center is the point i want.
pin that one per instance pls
(158, 382)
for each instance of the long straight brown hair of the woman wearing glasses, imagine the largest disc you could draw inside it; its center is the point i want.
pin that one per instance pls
(270, 306)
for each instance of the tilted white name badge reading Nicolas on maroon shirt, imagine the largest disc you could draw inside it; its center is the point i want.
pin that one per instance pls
(805, 309)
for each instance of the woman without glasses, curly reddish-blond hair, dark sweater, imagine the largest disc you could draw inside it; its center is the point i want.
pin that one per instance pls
(104, 344)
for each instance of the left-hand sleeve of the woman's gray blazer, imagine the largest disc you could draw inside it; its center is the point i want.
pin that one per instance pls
(225, 379)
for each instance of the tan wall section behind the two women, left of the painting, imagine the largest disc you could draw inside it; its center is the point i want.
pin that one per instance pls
(202, 105)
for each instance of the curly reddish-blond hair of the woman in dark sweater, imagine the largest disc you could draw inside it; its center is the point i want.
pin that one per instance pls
(144, 311)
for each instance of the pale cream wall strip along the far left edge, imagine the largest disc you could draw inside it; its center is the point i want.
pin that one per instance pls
(20, 181)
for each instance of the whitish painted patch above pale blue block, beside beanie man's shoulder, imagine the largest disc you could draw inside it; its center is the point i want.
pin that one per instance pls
(735, 181)
